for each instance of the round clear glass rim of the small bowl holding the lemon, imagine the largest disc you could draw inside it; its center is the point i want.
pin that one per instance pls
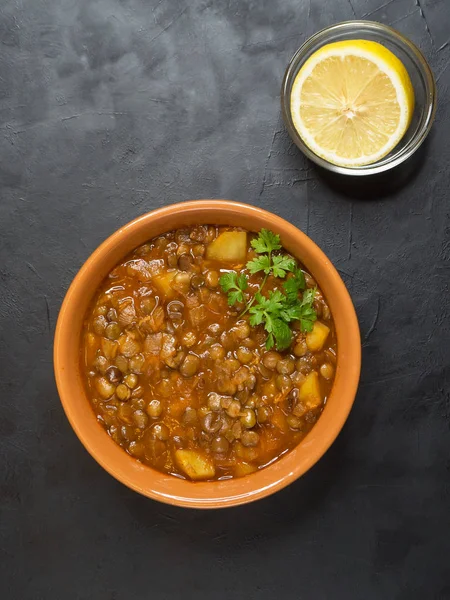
(429, 109)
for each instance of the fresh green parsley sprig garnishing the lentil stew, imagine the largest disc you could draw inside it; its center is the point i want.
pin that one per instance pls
(279, 308)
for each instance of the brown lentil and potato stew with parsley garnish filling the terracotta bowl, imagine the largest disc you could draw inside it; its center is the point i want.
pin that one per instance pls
(208, 352)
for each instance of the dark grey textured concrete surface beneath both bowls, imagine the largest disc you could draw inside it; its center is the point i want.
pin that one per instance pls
(110, 108)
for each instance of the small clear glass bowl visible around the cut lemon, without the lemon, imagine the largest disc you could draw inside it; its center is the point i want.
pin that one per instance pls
(419, 72)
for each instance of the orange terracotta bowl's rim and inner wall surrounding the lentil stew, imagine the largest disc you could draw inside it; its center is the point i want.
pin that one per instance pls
(144, 479)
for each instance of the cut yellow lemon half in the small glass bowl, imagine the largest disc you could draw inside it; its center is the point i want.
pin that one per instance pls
(352, 102)
